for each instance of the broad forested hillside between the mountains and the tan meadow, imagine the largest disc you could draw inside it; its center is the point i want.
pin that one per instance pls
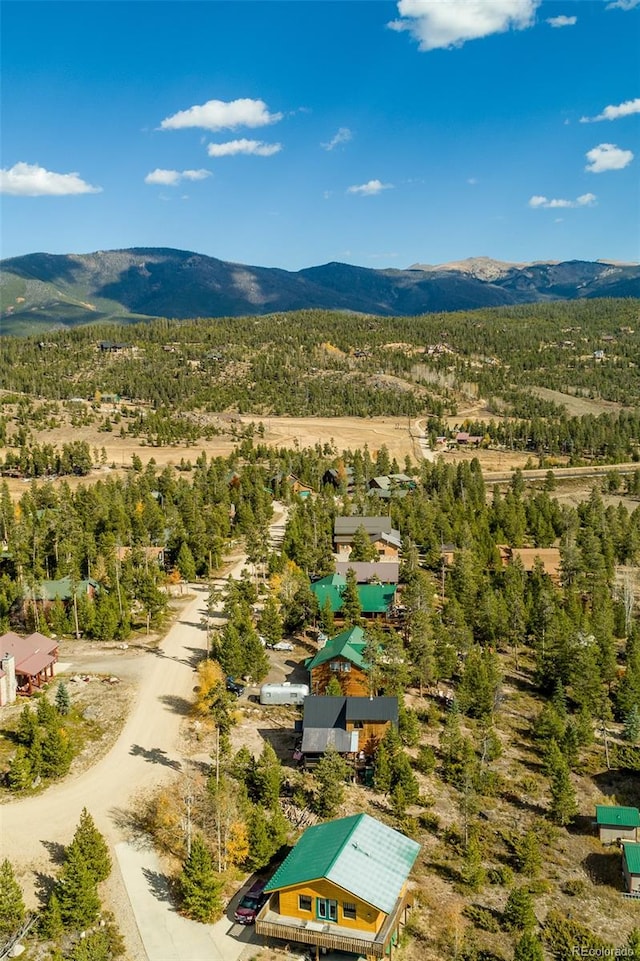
(166, 382)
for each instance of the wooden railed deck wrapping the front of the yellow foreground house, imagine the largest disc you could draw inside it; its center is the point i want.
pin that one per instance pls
(333, 937)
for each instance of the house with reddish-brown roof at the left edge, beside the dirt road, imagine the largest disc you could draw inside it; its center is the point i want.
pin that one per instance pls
(26, 664)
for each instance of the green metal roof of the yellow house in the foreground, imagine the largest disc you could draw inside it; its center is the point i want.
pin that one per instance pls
(359, 854)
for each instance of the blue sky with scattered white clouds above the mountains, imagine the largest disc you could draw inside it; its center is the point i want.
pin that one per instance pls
(289, 134)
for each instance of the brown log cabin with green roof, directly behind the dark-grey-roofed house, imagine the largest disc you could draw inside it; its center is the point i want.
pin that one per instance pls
(342, 657)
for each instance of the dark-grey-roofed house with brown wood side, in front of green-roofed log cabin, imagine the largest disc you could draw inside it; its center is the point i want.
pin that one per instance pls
(353, 726)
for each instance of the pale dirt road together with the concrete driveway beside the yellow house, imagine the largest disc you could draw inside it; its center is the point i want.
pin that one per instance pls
(145, 755)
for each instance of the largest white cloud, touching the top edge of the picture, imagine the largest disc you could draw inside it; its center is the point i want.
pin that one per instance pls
(449, 24)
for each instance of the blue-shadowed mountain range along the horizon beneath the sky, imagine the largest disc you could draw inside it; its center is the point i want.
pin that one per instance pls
(43, 291)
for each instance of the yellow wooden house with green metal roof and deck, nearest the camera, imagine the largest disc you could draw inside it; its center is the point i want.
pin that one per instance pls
(343, 887)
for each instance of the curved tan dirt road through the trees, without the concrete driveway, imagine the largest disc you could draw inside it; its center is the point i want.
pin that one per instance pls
(144, 755)
